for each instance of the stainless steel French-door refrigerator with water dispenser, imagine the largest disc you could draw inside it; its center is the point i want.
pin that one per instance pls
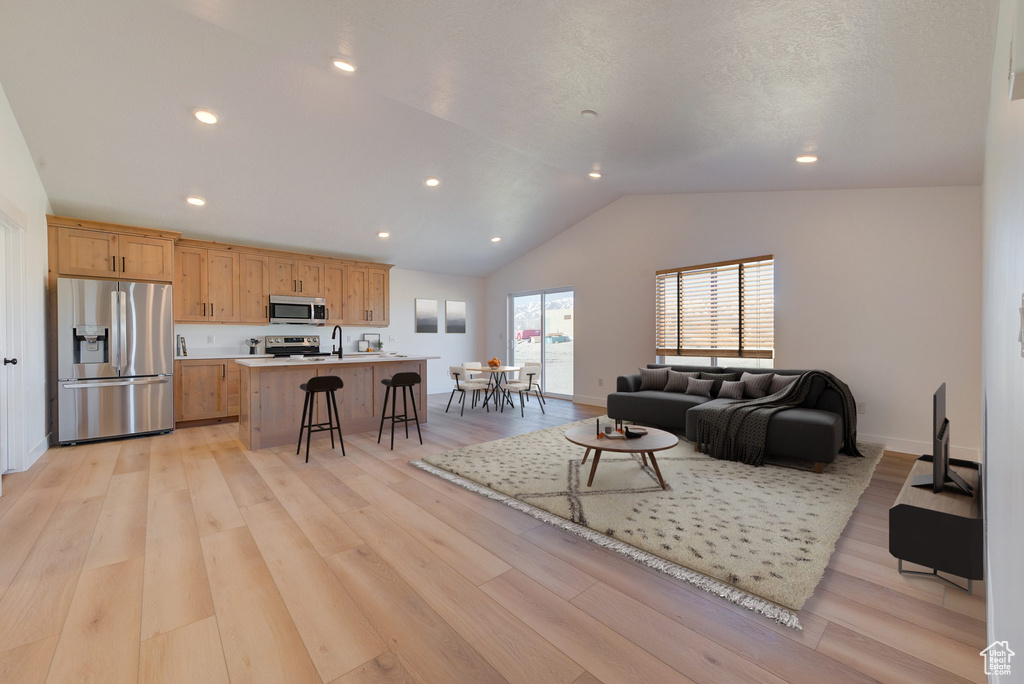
(115, 359)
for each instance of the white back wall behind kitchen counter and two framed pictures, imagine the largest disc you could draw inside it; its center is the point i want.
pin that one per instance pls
(406, 286)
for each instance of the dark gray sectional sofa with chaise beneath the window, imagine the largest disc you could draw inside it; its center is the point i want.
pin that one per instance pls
(812, 433)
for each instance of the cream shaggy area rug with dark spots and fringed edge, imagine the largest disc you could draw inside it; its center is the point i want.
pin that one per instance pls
(760, 537)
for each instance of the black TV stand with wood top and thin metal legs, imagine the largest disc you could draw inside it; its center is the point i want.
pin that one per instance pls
(944, 532)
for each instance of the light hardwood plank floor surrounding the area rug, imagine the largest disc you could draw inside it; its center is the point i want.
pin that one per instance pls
(185, 559)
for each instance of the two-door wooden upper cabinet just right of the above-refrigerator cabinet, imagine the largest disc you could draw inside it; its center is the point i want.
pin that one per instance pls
(206, 286)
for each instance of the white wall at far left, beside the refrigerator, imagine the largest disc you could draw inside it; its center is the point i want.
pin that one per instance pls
(24, 201)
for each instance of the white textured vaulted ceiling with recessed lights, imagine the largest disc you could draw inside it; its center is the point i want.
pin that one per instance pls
(694, 96)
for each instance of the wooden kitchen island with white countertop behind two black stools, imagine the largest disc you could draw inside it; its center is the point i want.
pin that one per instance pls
(271, 410)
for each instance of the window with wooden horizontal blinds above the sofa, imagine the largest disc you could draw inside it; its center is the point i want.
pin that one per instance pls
(717, 310)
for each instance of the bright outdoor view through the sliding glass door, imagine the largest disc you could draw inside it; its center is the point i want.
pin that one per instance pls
(541, 332)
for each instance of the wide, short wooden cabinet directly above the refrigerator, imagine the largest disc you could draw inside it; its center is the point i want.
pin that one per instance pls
(103, 250)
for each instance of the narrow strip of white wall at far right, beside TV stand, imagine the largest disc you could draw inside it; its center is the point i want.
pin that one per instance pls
(1004, 366)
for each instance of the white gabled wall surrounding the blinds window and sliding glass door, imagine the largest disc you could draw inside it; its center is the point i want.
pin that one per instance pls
(881, 287)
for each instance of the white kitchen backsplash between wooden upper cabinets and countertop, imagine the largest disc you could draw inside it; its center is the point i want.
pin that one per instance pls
(231, 339)
